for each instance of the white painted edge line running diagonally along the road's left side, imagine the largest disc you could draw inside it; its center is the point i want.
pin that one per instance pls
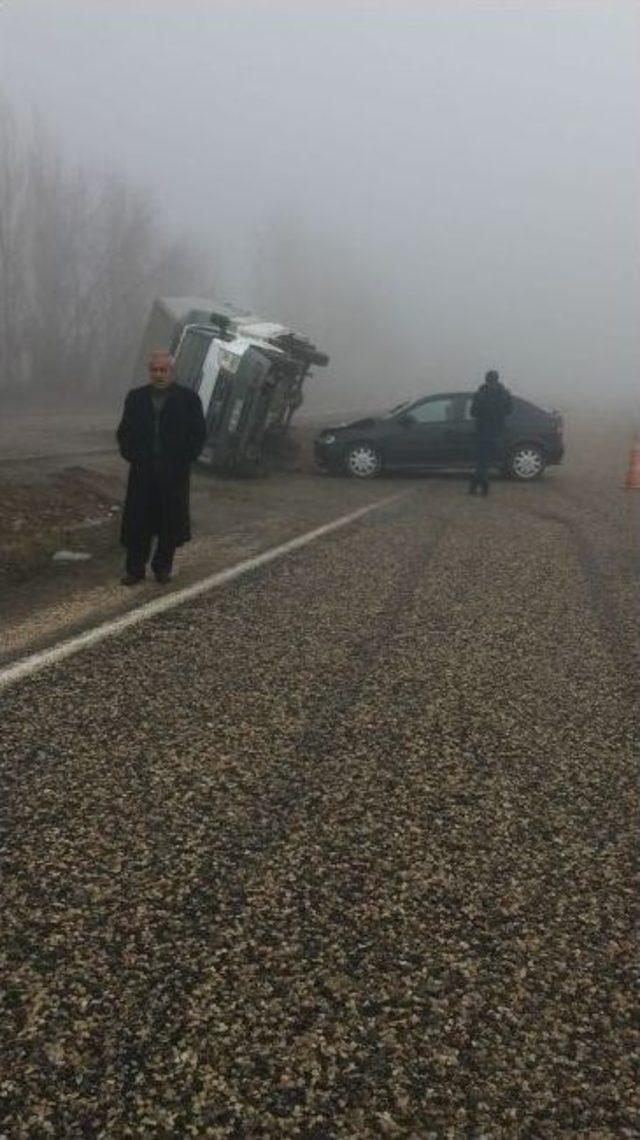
(37, 662)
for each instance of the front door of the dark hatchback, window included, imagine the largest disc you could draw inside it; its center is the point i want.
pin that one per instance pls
(428, 429)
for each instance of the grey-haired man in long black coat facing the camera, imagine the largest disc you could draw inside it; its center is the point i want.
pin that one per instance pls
(161, 434)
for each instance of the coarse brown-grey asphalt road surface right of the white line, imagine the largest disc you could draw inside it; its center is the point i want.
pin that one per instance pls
(344, 850)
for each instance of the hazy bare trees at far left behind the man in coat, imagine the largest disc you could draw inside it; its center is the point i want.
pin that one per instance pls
(82, 258)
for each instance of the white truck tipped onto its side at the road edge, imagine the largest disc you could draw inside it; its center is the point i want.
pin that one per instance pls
(248, 372)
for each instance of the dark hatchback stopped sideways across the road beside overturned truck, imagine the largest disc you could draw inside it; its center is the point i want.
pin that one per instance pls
(436, 433)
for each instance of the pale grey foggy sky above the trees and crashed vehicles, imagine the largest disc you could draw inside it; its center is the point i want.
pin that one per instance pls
(427, 190)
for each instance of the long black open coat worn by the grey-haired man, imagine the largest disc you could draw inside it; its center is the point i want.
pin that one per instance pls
(165, 478)
